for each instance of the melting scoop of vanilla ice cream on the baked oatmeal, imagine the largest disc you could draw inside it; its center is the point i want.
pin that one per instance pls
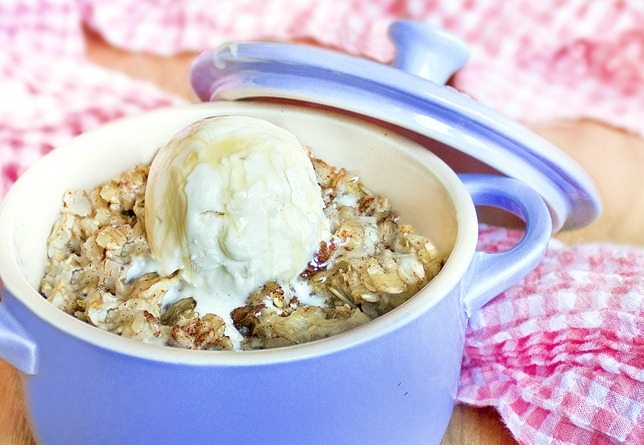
(232, 203)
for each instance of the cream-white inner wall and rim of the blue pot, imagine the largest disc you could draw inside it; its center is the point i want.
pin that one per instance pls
(421, 188)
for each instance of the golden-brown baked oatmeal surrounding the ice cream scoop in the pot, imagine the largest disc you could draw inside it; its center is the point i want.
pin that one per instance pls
(99, 270)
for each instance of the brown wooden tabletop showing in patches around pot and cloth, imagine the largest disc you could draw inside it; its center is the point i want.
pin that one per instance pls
(614, 159)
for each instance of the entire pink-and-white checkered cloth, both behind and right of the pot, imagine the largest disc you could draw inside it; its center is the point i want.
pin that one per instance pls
(560, 355)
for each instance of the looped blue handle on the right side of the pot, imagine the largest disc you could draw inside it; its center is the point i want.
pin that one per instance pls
(492, 273)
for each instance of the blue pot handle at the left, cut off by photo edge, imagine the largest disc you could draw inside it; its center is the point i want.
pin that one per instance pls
(15, 346)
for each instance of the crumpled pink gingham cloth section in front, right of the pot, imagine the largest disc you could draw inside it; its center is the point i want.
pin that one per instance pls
(561, 354)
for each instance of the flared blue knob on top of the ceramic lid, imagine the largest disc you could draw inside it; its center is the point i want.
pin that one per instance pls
(427, 51)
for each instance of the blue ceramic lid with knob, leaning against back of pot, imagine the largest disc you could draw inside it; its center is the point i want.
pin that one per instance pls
(410, 94)
